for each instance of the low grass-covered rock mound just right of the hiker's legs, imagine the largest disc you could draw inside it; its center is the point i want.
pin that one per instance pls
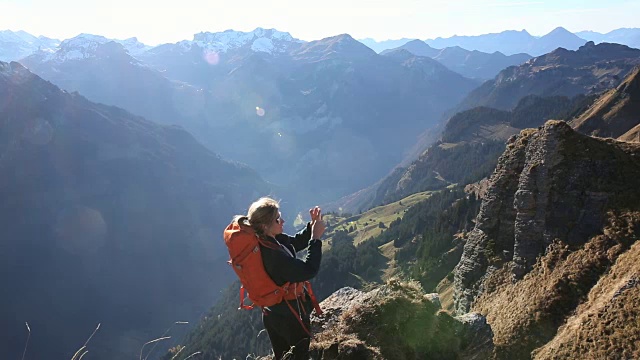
(396, 321)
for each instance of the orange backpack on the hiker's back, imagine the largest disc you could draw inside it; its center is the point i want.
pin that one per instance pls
(246, 260)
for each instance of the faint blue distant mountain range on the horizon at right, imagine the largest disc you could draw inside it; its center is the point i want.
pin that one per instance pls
(512, 42)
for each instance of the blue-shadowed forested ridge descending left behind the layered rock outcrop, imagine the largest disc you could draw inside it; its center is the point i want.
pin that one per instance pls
(473, 140)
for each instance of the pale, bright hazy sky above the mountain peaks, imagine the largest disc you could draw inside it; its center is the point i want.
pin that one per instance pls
(159, 21)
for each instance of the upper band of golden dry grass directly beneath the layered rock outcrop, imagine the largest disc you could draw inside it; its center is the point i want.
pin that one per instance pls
(527, 314)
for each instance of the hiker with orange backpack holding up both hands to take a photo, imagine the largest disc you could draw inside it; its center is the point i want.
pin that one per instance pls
(286, 318)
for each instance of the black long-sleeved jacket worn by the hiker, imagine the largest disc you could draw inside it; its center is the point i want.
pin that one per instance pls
(282, 265)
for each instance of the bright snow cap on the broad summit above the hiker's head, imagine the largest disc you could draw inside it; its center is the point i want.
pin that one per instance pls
(261, 40)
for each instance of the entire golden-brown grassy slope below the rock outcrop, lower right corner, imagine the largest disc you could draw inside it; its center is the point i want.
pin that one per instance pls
(527, 314)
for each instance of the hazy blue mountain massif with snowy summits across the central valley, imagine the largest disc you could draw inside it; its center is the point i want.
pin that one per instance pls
(266, 99)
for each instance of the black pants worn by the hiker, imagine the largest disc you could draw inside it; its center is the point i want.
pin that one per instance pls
(288, 339)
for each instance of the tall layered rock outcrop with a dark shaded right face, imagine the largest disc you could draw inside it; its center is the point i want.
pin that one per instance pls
(549, 184)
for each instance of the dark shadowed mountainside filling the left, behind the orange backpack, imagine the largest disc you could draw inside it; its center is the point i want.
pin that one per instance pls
(87, 193)
